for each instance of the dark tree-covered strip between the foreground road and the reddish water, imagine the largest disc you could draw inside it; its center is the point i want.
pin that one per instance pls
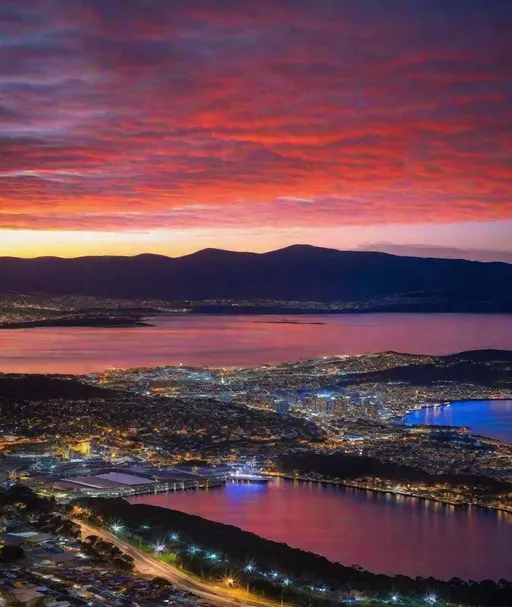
(304, 568)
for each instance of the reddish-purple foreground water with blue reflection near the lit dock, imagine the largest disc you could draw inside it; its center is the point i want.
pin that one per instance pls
(382, 533)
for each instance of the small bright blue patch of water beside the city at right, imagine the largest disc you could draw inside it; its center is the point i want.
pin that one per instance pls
(491, 418)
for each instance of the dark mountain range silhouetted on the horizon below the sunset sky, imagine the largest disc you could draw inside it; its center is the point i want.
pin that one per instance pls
(300, 272)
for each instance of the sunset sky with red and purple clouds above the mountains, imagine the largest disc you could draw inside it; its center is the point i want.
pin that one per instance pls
(168, 126)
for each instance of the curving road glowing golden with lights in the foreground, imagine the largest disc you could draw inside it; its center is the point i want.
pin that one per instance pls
(148, 565)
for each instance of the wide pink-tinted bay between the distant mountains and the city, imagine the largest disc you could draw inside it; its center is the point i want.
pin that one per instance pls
(245, 340)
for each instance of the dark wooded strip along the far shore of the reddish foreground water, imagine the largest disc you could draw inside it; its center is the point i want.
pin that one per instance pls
(345, 467)
